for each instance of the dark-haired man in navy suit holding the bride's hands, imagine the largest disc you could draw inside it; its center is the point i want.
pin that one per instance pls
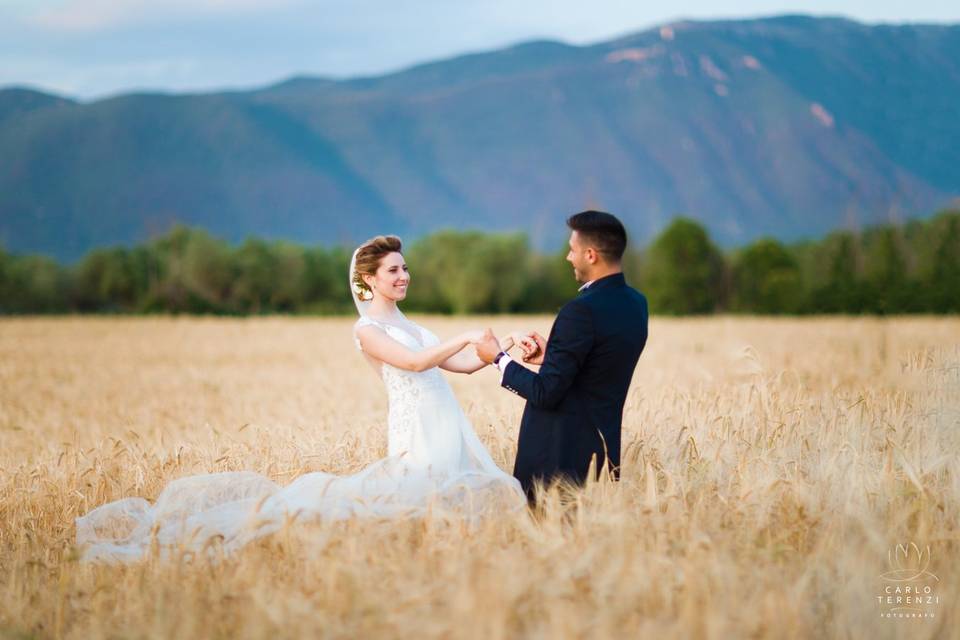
(575, 403)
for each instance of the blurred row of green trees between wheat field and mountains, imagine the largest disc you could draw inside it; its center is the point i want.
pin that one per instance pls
(889, 269)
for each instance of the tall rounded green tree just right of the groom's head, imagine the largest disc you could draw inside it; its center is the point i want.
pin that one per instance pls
(683, 272)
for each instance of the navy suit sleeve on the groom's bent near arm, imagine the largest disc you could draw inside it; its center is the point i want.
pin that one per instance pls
(570, 342)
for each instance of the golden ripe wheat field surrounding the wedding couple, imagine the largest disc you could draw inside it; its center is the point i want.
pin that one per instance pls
(771, 468)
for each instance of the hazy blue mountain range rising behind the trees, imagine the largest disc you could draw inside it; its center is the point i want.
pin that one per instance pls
(789, 126)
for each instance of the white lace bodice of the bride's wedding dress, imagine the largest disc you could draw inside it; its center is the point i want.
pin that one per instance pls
(407, 391)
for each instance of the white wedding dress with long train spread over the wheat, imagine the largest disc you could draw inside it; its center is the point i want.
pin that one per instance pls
(435, 462)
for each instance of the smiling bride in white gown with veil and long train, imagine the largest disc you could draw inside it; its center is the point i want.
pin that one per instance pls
(434, 459)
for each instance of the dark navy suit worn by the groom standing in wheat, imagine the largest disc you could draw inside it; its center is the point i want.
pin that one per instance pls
(575, 403)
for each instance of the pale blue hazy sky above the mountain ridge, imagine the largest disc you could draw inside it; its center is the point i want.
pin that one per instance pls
(91, 48)
